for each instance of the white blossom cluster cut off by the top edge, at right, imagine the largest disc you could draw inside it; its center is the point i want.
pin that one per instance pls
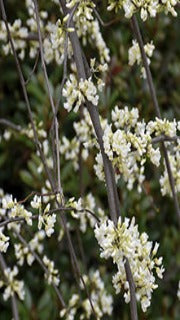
(147, 8)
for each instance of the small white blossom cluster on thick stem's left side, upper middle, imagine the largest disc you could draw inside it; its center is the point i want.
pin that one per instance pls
(77, 93)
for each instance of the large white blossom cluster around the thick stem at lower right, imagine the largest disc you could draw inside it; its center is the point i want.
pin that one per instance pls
(125, 242)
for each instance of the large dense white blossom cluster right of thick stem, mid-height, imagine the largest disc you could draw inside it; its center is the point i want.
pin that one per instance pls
(129, 146)
